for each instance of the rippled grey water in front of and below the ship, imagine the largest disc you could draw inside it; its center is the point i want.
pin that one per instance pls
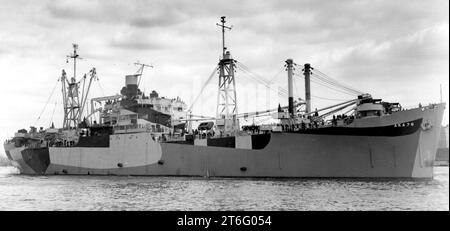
(18, 192)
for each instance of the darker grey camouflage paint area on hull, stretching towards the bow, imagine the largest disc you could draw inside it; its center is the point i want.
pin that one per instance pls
(279, 159)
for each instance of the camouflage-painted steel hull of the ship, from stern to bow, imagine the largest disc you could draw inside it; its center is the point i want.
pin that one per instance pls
(282, 154)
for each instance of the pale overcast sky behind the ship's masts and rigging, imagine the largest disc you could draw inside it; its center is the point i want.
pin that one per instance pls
(394, 50)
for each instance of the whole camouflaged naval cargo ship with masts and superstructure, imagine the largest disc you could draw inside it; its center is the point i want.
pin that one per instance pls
(147, 135)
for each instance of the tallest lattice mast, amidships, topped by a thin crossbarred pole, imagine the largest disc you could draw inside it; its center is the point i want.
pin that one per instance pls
(226, 111)
